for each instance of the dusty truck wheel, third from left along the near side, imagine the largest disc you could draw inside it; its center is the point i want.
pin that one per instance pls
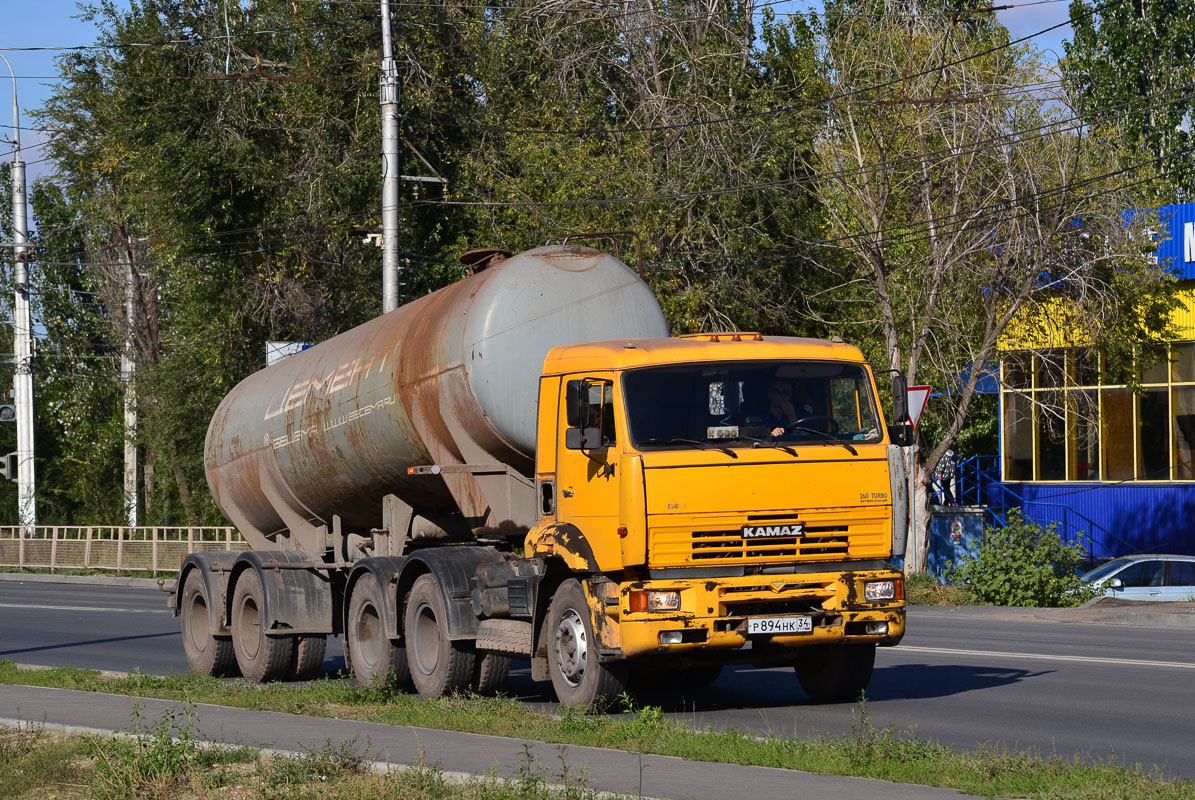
(369, 650)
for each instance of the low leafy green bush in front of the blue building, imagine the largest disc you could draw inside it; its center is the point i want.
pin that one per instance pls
(1024, 565)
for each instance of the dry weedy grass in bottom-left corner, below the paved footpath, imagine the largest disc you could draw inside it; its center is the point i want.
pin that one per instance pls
(166, 761)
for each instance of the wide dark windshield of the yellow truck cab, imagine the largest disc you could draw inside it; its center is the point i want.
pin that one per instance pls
(745, 405)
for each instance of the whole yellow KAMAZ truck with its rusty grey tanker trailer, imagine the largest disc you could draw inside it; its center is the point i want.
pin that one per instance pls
(526, 466)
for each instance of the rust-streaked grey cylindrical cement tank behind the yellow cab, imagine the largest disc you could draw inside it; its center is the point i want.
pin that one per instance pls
(450, 380)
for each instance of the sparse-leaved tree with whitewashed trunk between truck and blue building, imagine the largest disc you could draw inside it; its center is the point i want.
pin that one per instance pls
(969, 209)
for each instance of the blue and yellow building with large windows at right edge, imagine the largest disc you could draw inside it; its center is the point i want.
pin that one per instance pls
(1113, 466)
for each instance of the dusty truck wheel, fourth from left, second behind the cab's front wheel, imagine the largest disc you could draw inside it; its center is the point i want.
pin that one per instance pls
(438, 665)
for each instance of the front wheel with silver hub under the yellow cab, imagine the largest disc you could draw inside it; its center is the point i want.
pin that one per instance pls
(578, 679)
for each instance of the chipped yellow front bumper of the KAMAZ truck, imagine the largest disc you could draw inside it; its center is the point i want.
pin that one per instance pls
(714, 613)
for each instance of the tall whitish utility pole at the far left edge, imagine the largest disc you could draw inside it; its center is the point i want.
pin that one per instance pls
(23, 333)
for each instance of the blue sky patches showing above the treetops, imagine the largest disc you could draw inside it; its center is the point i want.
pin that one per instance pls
(54, 25)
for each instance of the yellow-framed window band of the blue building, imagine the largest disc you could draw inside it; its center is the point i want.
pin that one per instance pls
(1062, 423)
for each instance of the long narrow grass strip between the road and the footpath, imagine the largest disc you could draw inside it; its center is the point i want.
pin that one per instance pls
(867, 752)
